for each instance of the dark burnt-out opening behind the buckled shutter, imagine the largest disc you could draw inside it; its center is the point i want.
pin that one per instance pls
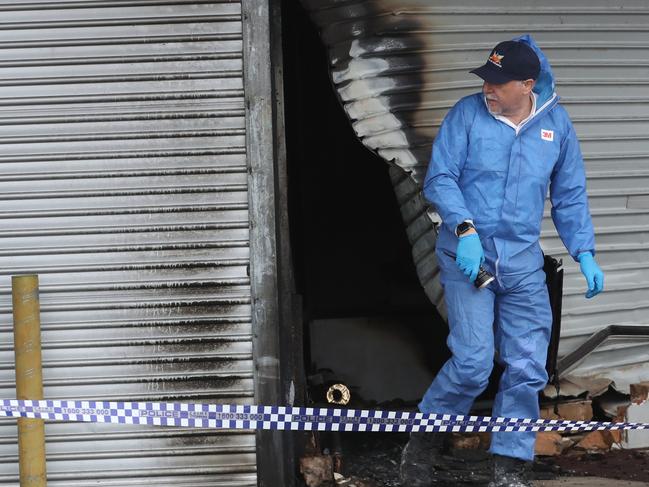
(367, 321)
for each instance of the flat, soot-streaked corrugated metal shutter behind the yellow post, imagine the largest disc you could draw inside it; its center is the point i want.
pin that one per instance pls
(123, 184)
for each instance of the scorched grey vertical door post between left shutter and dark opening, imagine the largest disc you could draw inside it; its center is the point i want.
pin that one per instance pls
(277, 343)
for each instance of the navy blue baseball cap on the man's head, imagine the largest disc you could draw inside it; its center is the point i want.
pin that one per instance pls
(508, 61)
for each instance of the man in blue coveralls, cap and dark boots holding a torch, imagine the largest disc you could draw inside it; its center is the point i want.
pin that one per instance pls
(495, 156)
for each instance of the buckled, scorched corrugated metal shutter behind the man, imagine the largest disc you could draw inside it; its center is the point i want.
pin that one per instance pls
(399, 65)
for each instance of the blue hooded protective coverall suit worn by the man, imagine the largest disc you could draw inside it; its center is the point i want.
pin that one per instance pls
(481, 169)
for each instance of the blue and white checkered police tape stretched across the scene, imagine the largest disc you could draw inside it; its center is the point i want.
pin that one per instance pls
(198, 415)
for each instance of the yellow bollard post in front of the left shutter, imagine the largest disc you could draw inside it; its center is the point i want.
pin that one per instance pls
(29, 378)
